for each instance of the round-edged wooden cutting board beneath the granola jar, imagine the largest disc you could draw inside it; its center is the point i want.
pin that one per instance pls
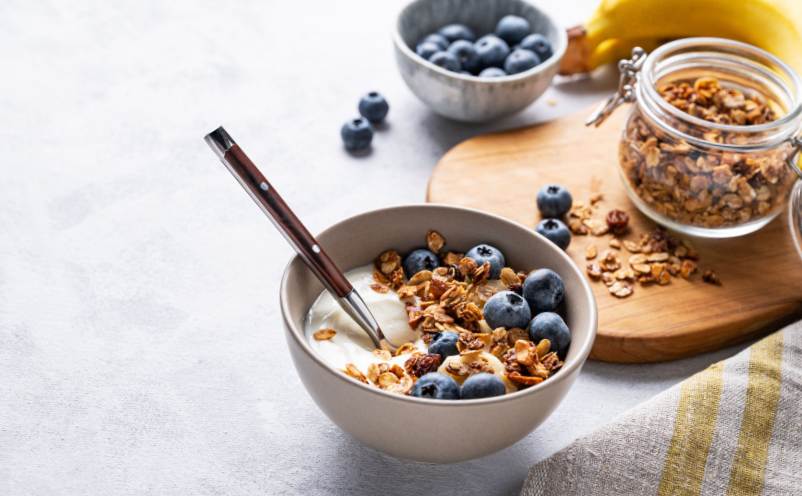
(761, 272)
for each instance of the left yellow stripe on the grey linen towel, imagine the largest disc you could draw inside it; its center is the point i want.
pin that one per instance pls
(694, 425)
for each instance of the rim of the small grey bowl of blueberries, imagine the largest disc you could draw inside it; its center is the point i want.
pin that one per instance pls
(544, 66)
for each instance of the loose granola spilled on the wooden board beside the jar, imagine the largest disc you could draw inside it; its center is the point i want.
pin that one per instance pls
(652, 258)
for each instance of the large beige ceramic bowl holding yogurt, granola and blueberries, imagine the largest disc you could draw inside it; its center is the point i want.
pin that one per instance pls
(424, 429)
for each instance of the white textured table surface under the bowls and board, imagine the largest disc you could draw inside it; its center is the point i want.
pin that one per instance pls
(141, 350)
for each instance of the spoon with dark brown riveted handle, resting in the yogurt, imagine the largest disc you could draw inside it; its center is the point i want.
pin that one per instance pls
(307, 247)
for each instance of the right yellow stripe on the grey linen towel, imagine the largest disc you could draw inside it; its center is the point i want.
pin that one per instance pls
(762, 396)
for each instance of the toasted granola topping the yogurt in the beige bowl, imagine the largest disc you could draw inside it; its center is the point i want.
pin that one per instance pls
(450, 298)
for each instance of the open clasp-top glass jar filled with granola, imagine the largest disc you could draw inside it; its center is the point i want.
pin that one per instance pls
(710, 145)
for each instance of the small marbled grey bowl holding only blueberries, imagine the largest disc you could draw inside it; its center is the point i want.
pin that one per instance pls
(469, 98)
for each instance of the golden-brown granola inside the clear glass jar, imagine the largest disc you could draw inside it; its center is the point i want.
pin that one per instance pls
(706, 187)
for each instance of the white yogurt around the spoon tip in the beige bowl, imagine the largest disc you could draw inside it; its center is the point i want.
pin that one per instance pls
(351, 344)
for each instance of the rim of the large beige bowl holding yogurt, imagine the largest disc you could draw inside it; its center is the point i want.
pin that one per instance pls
(566, 371)
